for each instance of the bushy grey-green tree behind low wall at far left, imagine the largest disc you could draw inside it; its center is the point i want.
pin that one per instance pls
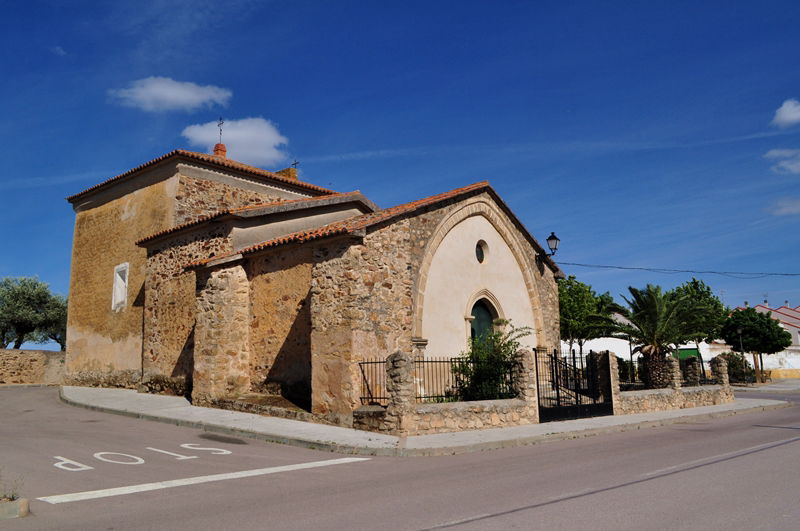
(28, 311)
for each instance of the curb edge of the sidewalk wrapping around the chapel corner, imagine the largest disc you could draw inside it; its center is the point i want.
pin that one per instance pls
(401, 449)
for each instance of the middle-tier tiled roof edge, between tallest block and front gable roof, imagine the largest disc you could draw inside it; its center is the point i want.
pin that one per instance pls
(265, 208)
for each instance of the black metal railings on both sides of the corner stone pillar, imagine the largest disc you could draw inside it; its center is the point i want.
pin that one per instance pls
(442, 380)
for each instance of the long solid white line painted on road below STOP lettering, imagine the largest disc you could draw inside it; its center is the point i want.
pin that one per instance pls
(144, 487)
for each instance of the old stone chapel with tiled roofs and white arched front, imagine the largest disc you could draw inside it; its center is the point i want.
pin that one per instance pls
(195, 274)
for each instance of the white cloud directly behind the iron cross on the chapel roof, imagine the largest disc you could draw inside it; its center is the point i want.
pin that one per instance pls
(252, 140)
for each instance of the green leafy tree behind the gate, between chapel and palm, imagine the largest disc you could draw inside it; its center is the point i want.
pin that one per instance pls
(578, 307)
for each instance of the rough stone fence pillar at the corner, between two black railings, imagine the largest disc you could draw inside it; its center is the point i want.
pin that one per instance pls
(400, 388)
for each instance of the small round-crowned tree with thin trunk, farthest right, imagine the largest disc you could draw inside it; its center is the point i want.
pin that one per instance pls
(747, 330)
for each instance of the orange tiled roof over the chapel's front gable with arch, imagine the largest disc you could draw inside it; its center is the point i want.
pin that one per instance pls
(359, 223)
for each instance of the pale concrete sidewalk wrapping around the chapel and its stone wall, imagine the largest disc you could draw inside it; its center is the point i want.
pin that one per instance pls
(178, 411)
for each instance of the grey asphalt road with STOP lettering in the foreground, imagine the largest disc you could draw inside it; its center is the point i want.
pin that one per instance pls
(737, 472)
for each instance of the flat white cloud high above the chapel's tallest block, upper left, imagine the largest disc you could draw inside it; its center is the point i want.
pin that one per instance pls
(155, 94)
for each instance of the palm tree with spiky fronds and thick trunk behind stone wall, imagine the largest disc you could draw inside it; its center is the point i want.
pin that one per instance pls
(657, 322)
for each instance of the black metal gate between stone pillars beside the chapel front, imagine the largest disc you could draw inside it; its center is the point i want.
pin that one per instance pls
(569, 386)
